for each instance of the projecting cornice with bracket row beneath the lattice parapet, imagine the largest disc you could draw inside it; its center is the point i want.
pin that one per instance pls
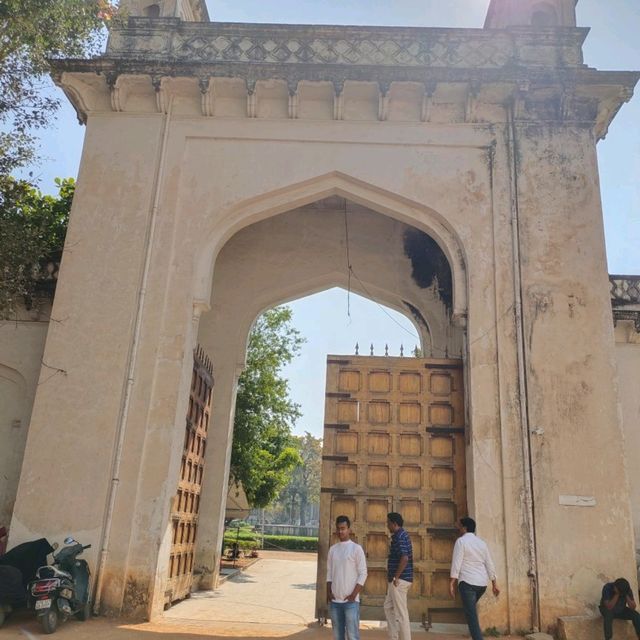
(581, 96)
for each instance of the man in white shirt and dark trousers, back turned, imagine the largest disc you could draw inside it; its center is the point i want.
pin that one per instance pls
(472, 568)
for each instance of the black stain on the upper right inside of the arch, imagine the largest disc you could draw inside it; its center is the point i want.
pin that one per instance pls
(429, 264)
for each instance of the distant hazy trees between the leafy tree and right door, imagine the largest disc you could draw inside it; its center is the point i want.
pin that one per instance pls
(304, 487)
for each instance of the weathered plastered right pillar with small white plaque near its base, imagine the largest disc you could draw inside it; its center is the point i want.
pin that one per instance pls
(581, 492)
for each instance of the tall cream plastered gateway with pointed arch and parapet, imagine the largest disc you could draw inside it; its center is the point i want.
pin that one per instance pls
(208, 144)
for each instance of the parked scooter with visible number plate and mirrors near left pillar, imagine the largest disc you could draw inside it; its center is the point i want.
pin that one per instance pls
(61, 590)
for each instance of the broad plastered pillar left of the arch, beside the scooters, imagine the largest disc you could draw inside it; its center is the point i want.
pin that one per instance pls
(125, 371)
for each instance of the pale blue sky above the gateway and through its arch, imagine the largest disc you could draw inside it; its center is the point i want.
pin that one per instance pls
(612, 44)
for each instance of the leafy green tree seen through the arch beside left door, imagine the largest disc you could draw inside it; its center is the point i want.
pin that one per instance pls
(264, 451)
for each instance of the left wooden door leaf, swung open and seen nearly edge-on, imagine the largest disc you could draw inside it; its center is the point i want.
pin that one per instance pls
(186, 503)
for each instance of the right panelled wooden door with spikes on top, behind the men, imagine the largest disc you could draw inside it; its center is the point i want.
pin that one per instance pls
(394, 440)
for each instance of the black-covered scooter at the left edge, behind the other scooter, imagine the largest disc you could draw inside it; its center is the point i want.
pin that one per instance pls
(17, 568)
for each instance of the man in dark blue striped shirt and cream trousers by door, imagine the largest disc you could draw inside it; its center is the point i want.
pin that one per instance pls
(400, 577)
